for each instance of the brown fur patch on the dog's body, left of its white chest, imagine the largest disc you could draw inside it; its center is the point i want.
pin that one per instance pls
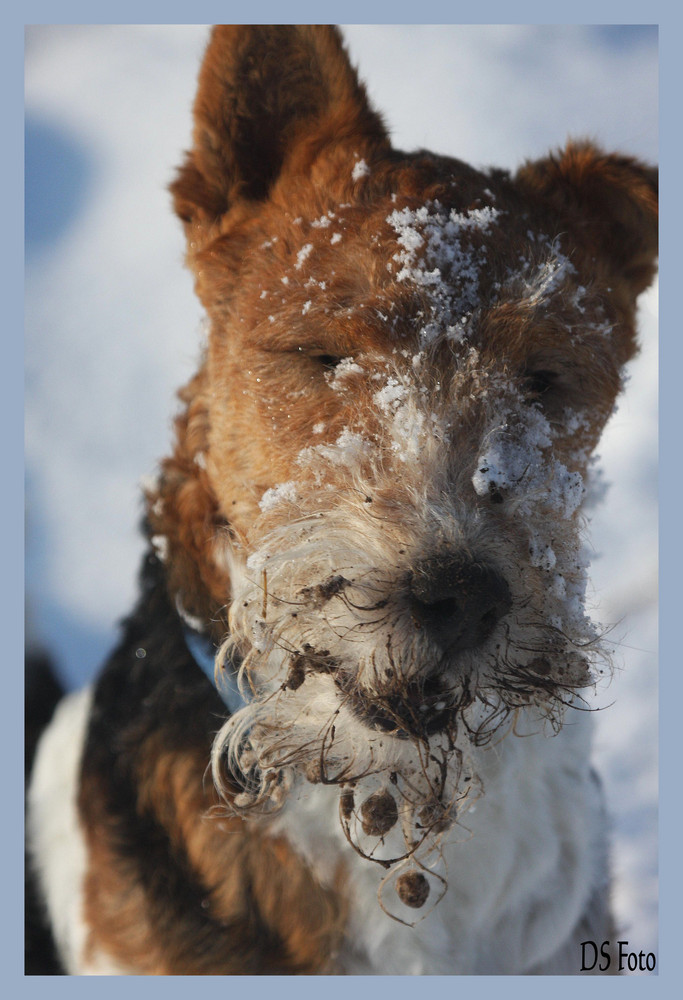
(253, 906)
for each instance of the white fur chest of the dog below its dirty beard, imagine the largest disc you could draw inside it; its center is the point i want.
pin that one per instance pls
(519, 867)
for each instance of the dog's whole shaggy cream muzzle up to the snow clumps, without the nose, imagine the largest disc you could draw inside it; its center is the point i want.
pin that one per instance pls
(344, 687)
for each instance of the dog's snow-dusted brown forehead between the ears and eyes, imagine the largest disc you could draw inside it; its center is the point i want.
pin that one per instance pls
(417, 252)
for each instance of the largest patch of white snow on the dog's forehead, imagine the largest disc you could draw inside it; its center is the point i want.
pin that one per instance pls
(440, 255)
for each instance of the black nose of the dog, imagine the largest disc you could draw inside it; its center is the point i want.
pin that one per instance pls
(458, 599)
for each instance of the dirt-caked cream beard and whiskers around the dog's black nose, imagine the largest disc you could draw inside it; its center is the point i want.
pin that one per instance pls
(344, 689)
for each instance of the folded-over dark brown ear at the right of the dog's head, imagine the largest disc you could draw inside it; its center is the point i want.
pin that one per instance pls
(608, 201)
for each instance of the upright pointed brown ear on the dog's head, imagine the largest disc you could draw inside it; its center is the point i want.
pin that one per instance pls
(270, 98)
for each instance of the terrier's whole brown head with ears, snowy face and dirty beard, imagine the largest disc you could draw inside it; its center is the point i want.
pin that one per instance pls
(384, 455)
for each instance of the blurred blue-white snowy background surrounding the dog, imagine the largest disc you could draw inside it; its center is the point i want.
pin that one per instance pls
(112, 327)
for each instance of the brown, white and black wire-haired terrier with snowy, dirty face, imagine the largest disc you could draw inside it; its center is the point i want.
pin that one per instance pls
(344, 731)
